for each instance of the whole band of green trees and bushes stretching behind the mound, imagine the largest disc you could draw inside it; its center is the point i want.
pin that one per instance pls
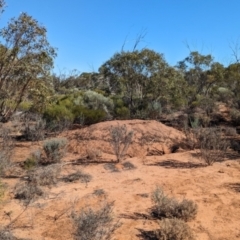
(131, 84)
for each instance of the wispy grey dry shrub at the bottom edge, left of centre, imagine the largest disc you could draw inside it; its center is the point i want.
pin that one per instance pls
(93, 224)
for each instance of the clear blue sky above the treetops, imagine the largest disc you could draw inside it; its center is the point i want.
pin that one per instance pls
(88, 32)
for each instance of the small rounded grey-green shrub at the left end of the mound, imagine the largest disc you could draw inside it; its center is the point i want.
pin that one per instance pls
(54, 150)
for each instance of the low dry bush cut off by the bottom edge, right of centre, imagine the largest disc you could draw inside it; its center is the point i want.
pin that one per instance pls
(174, 229)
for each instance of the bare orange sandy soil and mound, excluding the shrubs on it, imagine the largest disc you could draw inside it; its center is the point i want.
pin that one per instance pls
(215, 189)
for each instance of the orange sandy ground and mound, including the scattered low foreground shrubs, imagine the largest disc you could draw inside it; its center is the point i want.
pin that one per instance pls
(206, 196)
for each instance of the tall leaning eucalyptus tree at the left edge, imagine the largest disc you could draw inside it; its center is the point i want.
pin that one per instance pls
(26, 59)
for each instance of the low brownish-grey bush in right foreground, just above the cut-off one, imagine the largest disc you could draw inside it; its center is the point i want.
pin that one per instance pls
(171, 208)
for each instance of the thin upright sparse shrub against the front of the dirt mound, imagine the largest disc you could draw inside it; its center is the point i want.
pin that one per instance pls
(120, 140)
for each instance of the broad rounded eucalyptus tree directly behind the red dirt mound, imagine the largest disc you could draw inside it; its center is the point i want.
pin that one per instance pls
(140, 77)
